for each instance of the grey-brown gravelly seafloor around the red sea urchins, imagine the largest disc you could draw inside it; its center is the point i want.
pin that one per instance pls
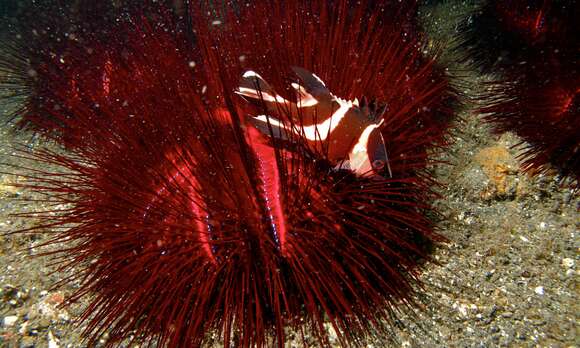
(508, 277)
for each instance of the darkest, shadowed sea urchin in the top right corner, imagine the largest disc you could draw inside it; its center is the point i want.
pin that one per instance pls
(516, 33)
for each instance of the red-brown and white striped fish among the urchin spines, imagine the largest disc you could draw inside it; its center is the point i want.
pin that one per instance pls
(348, 132)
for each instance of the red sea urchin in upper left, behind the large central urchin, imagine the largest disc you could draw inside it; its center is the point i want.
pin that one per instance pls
(51, 44)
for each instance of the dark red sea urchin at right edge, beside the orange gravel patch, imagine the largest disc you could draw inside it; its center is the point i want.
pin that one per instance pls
(545, 112)
